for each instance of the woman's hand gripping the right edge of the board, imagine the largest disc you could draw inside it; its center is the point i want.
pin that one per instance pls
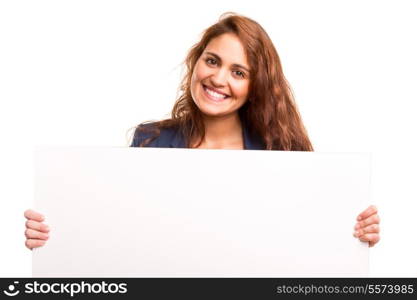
(367, 227)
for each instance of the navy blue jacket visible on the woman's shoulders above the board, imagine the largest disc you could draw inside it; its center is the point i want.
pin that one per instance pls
(173, 138)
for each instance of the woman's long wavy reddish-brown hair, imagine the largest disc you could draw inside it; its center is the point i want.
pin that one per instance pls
(270, 111)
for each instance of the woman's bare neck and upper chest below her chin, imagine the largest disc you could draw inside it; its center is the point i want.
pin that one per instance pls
(223, 133)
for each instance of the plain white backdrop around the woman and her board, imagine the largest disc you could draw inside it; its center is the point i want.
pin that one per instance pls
(84, 72)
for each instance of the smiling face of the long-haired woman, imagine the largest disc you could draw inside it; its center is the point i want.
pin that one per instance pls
(220, 79)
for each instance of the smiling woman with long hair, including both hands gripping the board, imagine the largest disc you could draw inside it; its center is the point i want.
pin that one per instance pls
(234, 96)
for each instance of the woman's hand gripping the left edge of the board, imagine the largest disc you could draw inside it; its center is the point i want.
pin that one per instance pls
(37, 233)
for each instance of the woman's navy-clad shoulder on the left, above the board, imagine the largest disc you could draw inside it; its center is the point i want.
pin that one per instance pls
(154, 135)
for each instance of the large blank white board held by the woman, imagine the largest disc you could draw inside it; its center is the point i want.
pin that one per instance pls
(143, 212)
